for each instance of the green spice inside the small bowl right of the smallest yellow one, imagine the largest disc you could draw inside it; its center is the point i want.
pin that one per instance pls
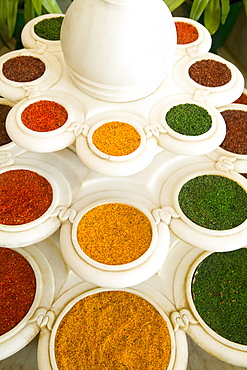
(189, 119)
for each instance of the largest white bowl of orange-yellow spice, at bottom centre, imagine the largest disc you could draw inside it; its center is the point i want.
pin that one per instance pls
(130, 311)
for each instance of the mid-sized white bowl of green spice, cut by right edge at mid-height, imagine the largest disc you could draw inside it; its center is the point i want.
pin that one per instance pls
(209, 206)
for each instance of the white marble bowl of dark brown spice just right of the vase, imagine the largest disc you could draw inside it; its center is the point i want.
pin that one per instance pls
(210, 77)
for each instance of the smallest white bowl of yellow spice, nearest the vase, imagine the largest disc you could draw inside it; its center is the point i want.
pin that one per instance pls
(116, 143)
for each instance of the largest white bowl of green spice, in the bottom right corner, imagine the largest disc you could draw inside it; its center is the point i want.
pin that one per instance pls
(210, 289)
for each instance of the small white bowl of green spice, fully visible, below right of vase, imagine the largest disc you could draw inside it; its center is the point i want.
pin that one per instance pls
(190, 126)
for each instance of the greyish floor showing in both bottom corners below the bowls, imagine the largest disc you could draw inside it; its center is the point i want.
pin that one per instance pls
(198, 359)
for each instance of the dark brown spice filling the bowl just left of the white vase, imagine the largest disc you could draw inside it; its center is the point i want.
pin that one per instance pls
(24, 68)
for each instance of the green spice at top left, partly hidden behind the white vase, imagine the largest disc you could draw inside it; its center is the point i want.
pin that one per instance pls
(49, 28)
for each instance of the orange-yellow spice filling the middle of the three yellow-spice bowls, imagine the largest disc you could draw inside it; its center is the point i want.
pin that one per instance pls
(114, 233)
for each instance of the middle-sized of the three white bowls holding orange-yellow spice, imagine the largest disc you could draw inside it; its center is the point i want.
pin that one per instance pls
(114, 242)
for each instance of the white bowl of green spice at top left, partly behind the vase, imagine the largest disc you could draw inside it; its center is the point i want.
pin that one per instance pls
(43, 32)
